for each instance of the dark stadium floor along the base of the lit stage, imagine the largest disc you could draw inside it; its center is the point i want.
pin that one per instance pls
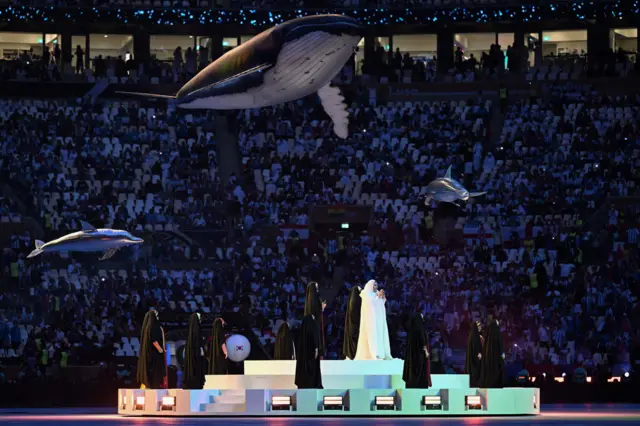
(565, 415)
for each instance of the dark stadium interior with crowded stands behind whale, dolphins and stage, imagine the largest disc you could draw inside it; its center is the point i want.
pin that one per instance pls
(537, 104)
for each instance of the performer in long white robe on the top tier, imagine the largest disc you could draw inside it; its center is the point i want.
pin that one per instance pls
(373, 341)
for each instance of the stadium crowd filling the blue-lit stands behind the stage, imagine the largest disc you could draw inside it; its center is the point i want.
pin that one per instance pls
(538, 251)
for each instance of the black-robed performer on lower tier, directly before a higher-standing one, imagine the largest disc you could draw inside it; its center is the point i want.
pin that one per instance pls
(308, 374)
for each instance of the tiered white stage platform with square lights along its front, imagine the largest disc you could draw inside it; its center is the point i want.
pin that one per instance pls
(357, 382)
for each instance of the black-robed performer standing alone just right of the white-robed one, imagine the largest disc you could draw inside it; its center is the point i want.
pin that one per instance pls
(417, 365)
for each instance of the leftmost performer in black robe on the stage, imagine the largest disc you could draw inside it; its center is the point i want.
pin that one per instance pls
(152, 368)
